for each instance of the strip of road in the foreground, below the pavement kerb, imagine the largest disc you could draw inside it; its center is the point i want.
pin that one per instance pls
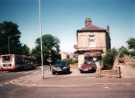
(94, 91)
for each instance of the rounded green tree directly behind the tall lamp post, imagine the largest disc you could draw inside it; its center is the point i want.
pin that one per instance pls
(50, 48)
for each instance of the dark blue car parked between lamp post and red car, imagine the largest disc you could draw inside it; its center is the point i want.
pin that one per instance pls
(60, 67)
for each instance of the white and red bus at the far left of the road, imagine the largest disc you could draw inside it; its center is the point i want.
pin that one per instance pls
(12, 62)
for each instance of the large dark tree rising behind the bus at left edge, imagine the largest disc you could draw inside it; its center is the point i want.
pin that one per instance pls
(9, 38)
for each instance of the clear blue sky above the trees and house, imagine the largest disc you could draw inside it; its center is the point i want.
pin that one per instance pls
(63, 17)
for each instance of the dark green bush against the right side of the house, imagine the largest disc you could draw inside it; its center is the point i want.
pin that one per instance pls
(108, 58)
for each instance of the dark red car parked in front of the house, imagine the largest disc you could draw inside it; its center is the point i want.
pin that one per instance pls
(88, 67)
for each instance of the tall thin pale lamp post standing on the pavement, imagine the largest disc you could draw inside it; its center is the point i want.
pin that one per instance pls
(41, 43)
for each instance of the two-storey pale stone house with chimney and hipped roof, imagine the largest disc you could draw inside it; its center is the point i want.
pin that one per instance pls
(92, 42)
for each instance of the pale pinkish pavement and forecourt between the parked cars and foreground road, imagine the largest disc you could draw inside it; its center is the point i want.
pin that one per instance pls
(75, 79)
